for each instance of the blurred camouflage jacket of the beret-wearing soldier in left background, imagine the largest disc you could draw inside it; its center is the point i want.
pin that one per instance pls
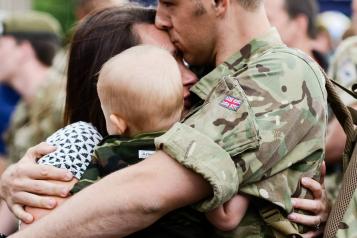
(33, 123)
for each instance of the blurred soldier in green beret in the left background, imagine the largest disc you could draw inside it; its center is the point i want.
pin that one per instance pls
(35, 38)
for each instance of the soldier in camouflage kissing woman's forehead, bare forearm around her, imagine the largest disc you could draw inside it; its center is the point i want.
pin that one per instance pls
(264, 106)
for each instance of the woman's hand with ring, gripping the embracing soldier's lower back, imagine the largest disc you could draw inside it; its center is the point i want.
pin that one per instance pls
(319, 207)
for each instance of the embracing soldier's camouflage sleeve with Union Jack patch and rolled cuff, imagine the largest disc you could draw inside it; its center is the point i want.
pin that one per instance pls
(223, 126)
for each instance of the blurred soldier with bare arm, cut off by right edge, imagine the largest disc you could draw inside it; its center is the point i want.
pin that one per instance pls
(343, 70)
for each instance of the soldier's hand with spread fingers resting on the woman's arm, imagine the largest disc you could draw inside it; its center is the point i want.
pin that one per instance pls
(23, 183)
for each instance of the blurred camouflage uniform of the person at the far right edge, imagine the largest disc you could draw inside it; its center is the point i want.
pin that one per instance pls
(344, 71)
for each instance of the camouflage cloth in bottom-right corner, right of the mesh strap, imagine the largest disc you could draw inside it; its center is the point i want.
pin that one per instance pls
(348, 228)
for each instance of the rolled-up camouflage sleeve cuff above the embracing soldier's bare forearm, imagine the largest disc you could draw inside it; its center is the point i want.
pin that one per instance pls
(200, 154)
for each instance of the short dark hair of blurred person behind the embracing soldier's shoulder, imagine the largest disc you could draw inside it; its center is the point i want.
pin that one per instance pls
(308, 8)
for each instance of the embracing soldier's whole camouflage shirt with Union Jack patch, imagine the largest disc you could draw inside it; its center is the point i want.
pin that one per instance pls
(266, 108)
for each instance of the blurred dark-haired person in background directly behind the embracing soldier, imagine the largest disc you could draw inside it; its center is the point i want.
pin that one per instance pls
(296, 23)
